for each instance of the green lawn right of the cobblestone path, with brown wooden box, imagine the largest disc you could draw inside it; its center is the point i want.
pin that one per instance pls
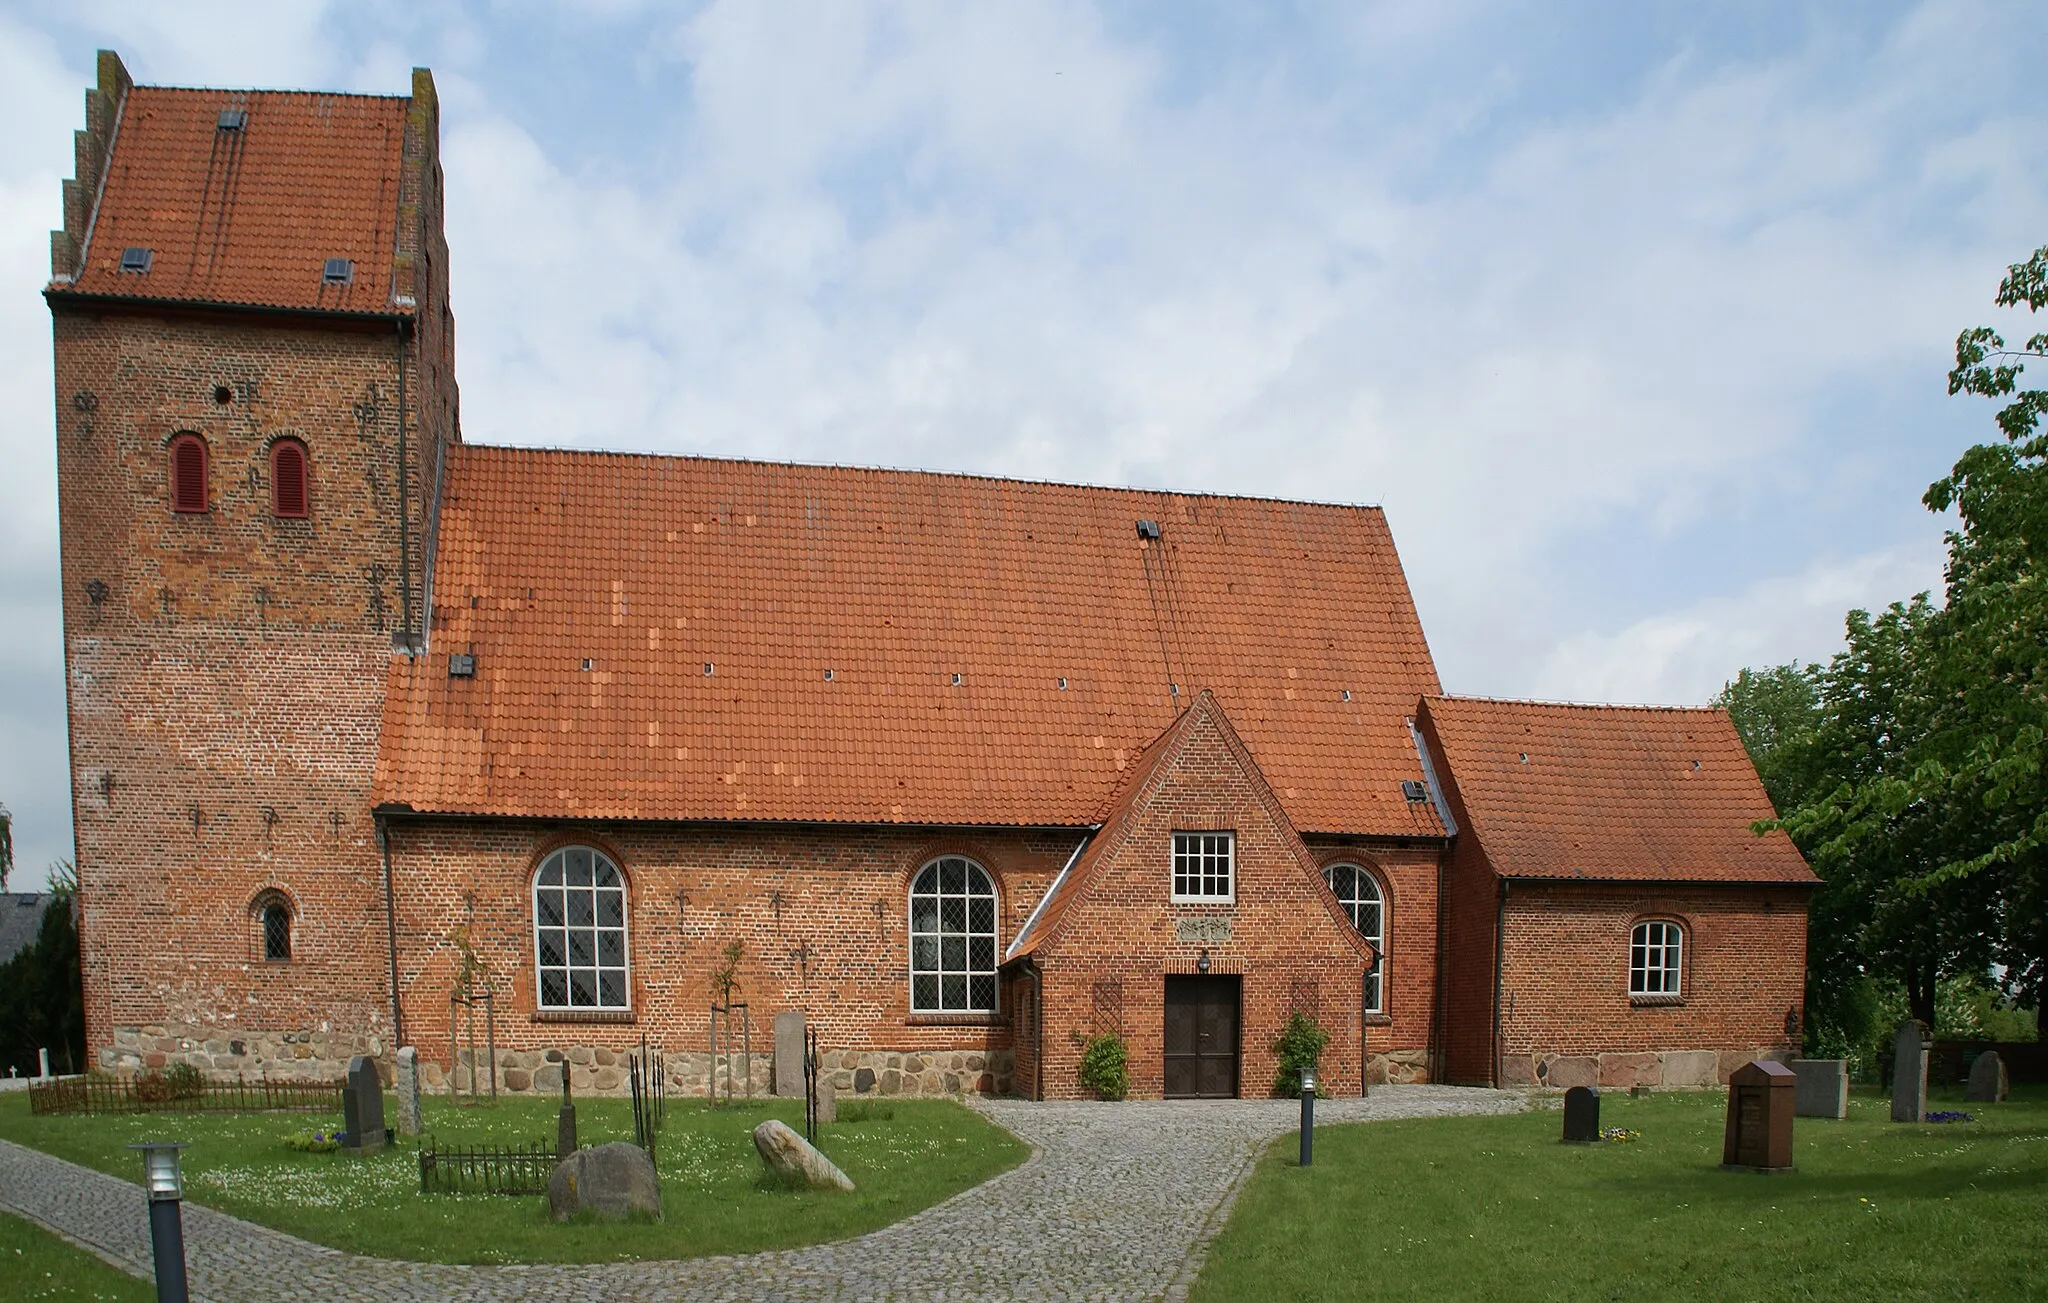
(1498, 1210)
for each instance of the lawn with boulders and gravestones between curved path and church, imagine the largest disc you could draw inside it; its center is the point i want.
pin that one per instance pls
(904, 1157)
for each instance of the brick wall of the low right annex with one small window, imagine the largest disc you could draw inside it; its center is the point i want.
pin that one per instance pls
(1566, 976)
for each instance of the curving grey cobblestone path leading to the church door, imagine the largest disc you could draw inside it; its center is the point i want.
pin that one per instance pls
(1117, 1202)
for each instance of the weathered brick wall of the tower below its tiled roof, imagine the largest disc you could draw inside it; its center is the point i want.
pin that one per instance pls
(224, 669)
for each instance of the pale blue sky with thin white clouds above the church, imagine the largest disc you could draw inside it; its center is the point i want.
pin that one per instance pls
(1633, 317)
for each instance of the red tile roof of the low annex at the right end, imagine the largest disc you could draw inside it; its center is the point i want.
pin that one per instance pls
(1619, 794)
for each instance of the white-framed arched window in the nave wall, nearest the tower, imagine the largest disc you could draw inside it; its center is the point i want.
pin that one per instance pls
(581, 931)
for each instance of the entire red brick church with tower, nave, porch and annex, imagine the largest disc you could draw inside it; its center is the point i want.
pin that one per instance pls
(966, 769)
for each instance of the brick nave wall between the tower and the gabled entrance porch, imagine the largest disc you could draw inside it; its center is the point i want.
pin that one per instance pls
(820, 913)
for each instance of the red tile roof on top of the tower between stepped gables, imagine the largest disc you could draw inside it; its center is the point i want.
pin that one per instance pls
(251, 216)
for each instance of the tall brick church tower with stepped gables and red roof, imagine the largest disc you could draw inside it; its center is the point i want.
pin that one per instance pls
(255, 368)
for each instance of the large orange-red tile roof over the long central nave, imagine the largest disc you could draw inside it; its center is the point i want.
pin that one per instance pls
(654, 569)
